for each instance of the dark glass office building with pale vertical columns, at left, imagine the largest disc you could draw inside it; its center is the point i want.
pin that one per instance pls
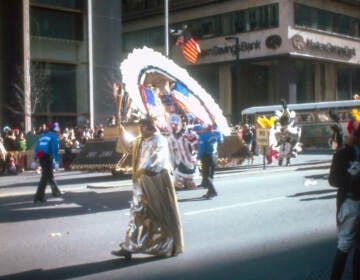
(58, 60)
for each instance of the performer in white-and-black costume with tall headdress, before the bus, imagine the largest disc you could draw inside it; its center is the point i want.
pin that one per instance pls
(287, 135)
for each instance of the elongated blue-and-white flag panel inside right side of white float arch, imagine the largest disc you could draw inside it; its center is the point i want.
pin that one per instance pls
(190, 103)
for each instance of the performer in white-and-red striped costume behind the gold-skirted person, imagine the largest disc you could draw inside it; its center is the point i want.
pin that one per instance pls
(182, 152)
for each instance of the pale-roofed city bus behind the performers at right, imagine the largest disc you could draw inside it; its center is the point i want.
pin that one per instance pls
(313, 119)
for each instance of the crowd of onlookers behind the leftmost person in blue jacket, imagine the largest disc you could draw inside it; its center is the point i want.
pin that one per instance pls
(14, 143)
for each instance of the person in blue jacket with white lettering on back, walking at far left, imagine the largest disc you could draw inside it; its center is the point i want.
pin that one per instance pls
(47, 154)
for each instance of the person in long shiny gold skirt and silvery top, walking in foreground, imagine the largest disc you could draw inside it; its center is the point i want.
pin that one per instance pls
(154, 227)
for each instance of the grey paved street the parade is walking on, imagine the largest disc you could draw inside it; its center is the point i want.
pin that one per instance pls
(266, 223)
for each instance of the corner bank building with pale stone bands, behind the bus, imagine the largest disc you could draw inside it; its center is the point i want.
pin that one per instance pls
(297, 50)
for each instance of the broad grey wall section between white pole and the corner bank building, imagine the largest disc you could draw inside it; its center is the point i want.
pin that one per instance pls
(107, 55)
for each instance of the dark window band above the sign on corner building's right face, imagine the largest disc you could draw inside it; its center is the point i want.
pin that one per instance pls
(314, 18)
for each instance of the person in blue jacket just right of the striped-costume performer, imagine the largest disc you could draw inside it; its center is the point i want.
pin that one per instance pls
(207, 154)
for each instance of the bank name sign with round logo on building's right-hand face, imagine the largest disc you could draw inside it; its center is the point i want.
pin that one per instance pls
(301, 44)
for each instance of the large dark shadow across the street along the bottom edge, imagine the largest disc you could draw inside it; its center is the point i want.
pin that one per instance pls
(311, 261)
